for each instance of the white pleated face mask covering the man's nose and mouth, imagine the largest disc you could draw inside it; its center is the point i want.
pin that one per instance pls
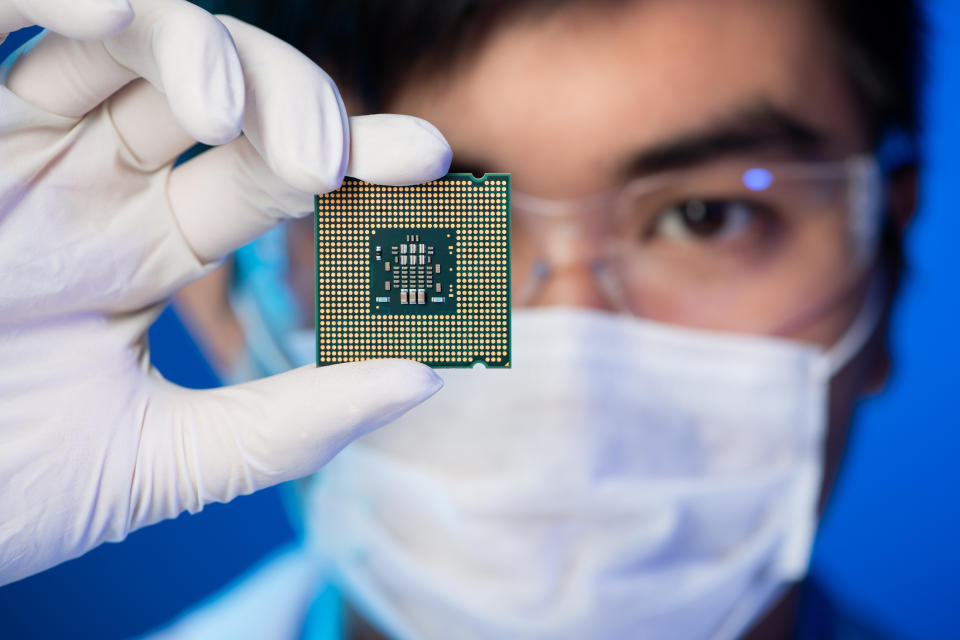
(624, 479)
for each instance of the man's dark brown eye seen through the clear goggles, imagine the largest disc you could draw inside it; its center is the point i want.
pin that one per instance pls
(712, 221)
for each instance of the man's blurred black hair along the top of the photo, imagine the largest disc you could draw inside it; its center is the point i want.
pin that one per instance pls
(371, 46)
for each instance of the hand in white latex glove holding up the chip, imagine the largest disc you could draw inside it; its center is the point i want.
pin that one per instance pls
(97, 230)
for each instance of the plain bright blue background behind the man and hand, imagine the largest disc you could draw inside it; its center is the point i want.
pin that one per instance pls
(888, 546)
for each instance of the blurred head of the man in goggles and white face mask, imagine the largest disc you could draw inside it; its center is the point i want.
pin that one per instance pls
(708, 209)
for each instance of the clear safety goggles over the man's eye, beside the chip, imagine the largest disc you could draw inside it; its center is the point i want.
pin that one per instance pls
(737, 245)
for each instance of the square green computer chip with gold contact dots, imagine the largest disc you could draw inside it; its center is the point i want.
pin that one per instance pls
(419, 272)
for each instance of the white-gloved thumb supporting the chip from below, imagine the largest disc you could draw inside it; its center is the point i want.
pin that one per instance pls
(208, 446)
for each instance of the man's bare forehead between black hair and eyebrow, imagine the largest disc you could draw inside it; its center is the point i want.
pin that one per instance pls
(562, 99)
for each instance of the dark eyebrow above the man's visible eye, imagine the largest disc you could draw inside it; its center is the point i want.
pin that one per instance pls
(757, 127)
